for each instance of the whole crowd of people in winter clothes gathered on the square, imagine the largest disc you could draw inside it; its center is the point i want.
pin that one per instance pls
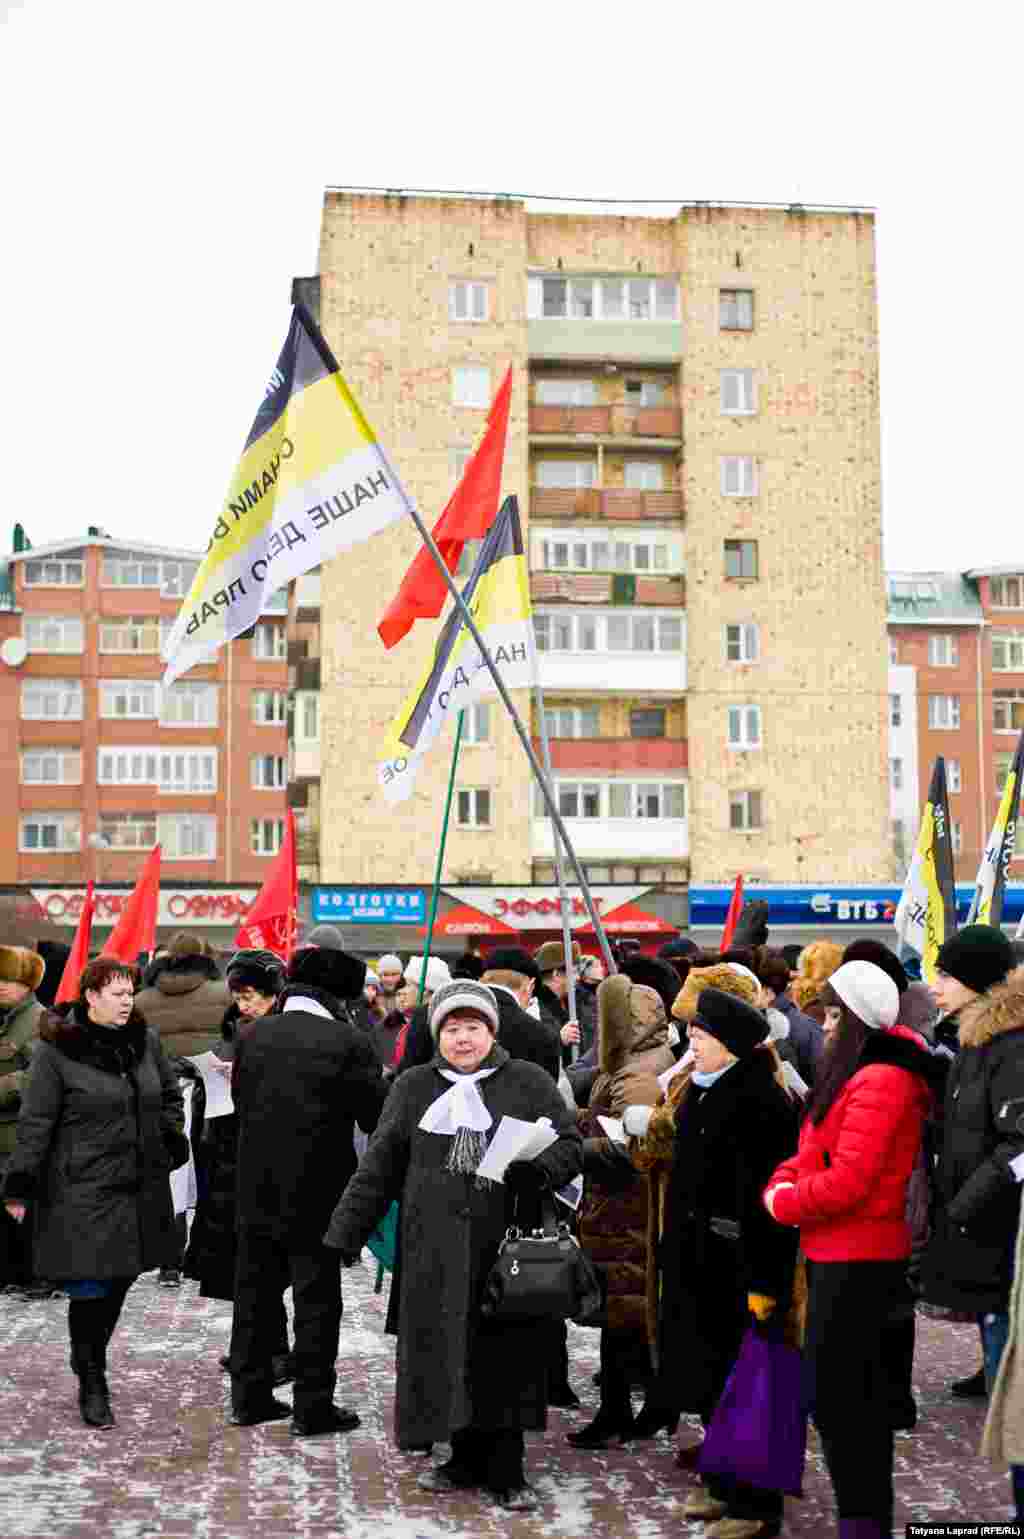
(749, 1144)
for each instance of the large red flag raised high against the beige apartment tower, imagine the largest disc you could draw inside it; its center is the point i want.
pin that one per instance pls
(469, 516)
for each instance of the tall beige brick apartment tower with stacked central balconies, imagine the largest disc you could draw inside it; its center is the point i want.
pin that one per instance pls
(694, 441)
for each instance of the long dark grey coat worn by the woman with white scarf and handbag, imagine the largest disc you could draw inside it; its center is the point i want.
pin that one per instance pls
(455, 1369)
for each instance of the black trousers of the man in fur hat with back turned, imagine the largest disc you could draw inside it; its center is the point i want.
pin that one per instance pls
(264, 1269)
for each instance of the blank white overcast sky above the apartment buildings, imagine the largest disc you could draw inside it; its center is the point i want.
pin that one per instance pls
(166, 164)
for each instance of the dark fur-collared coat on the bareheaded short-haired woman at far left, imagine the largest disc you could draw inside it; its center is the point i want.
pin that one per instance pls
(101, 1130)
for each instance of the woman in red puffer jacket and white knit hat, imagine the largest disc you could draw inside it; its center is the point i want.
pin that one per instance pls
(846, 1190)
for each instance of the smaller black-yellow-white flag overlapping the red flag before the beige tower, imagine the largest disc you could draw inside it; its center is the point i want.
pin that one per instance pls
(498, 598)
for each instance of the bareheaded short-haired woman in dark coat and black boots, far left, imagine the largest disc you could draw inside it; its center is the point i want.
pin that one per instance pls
(101, 1130)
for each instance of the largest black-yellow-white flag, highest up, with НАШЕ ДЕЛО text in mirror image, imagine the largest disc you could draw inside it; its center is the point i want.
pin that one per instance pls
(312, 482)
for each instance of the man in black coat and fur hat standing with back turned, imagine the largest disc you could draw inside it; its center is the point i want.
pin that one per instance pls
(303, 1078)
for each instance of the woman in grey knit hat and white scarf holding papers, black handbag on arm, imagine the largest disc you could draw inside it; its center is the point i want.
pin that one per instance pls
(460, 1377)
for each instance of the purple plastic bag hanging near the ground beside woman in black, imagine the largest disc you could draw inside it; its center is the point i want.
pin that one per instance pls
(758, 1432)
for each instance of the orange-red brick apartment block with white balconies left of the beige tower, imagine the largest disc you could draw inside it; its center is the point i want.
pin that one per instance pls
(99, 763)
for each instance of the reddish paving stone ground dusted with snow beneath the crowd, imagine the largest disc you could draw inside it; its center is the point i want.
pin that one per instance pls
(173, 1467)
